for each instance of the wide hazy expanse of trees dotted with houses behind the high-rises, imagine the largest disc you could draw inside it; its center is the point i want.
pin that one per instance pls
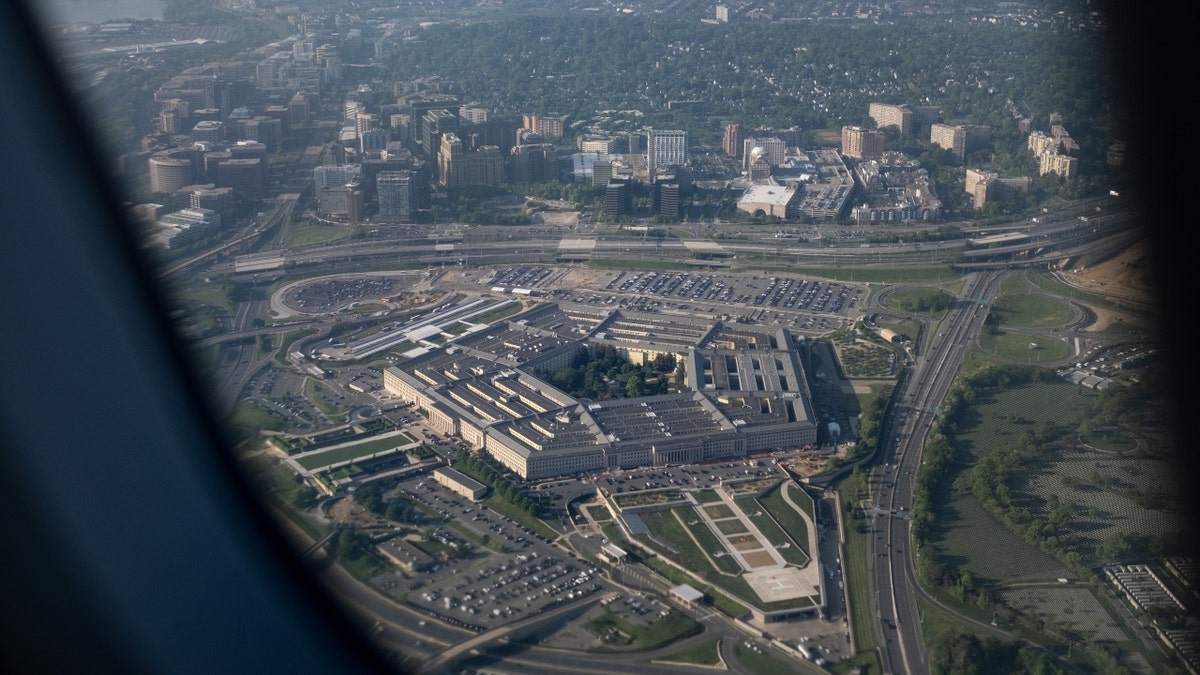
(781, 75)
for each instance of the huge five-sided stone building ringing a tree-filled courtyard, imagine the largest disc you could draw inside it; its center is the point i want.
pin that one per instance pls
(745, 392)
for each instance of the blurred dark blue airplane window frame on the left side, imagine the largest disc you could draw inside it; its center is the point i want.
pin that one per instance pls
(137, 545)
